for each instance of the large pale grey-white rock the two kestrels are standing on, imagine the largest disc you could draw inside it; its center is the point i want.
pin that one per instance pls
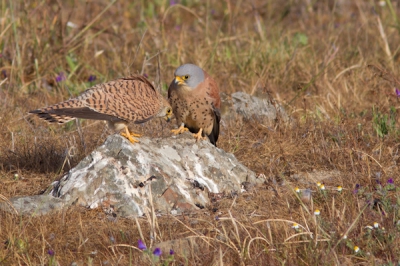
(169, 175)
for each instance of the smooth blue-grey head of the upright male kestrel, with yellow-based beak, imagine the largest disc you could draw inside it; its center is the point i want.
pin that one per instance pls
(189, 75)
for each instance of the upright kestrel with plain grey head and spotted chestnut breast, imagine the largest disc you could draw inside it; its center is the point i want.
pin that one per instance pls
(195, 100)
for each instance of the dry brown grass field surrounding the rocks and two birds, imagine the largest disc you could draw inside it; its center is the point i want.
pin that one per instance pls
(313, 56)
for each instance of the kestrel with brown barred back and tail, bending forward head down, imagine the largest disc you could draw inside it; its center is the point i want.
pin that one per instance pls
(132, 99)
